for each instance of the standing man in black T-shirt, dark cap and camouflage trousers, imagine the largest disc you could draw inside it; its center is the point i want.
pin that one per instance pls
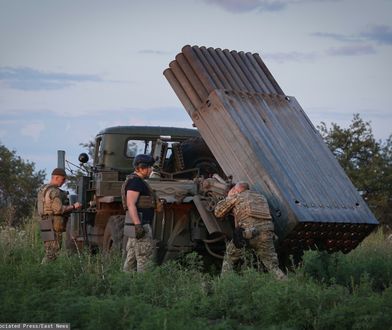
(139, 204)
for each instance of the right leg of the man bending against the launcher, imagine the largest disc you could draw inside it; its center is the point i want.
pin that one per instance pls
(265, 250)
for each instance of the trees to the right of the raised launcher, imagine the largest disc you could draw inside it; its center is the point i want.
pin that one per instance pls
(367, 162)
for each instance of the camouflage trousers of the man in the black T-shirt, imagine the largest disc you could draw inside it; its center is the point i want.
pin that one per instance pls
(140, 254)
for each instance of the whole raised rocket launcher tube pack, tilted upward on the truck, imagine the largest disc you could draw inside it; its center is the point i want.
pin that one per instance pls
(259, 135)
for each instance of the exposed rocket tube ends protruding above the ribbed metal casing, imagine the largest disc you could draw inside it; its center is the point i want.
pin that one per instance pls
(197, 71)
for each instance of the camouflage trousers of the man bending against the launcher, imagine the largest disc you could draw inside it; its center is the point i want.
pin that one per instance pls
(263, 246)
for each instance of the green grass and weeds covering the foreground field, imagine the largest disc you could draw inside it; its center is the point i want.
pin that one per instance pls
(336, 291)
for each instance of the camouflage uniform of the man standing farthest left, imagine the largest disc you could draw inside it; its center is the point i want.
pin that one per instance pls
(51, 205)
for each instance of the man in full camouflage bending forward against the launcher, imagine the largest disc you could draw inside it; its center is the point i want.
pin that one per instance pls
(253, 227)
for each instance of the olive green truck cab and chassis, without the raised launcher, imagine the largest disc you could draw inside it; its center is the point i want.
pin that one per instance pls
(188, 182)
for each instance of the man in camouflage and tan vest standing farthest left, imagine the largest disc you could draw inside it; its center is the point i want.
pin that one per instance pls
(53, 208)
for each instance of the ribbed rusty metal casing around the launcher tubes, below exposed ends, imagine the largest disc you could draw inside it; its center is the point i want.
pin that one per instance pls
(268, 141)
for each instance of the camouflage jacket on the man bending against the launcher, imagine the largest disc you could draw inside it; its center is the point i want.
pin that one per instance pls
(249, 208)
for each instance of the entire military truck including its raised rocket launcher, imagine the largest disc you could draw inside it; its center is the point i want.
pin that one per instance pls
(251, 131)
